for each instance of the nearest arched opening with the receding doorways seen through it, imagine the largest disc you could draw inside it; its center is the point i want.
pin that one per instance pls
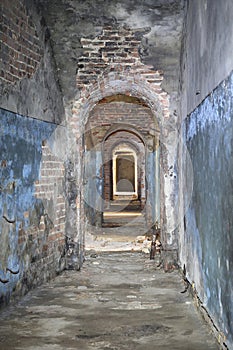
(122, 161)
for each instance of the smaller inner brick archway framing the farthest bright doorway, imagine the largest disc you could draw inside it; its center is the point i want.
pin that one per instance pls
(123, 154)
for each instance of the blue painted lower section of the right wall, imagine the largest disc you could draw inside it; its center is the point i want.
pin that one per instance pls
(209, 219)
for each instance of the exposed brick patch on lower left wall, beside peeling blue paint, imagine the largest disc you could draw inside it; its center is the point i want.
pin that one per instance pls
(44, 241)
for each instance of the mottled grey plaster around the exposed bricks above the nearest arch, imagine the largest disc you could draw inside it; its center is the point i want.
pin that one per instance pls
(160, 20)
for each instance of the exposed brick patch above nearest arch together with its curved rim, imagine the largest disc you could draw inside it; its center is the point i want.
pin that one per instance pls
(111, 65)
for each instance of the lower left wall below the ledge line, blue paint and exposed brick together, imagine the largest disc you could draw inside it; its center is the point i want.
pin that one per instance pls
(32, 205)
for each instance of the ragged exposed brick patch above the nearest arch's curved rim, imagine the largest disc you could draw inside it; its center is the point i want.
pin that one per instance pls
(118, 48)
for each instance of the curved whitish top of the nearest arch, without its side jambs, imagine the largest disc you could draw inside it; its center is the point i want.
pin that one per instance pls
(142, 84)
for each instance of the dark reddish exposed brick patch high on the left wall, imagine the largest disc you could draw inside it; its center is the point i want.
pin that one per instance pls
(21, 51)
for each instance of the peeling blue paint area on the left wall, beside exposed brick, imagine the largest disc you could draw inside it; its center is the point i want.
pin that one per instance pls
(20, 157)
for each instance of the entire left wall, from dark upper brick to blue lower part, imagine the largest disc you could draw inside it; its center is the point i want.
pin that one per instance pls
(32, 196)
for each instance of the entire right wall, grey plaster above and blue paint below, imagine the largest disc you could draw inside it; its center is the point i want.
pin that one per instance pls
(206, 159)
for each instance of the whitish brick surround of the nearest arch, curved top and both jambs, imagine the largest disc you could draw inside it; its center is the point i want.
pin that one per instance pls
(144, 84)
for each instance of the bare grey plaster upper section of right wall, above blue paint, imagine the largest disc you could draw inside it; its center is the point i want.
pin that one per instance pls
(208, 47)
